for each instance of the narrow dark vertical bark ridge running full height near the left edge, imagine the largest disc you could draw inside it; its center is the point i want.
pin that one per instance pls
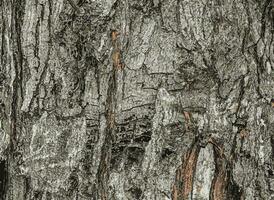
(14, 157)
